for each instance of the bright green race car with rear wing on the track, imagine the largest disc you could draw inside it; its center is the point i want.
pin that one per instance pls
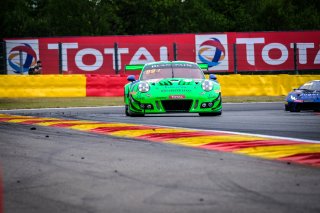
(172, 87)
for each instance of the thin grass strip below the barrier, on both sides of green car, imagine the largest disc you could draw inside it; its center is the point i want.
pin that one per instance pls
(30, 103)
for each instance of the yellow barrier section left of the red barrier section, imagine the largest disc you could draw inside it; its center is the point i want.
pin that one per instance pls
(14, 86)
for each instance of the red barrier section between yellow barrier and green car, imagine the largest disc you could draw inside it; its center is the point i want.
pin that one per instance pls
(105, 85)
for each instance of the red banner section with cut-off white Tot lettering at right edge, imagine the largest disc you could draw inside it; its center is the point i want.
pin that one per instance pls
(277, 50)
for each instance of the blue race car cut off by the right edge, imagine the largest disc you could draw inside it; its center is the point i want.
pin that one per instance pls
(306, 97)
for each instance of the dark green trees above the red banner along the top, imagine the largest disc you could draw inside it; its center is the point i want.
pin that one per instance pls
(36, 18)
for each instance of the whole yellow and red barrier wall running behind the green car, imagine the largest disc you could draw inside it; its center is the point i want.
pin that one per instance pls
(108, 85)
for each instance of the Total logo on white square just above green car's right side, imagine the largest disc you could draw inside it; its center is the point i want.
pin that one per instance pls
(211, 49)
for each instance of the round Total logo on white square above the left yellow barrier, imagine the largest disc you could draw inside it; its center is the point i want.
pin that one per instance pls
(21, 55)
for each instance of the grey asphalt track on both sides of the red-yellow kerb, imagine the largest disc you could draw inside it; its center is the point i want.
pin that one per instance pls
(46, 169)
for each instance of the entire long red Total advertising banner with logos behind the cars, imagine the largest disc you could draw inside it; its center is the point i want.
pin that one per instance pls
(223, 52)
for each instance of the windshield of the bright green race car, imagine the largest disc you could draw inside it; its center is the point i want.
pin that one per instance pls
(159, 71)
